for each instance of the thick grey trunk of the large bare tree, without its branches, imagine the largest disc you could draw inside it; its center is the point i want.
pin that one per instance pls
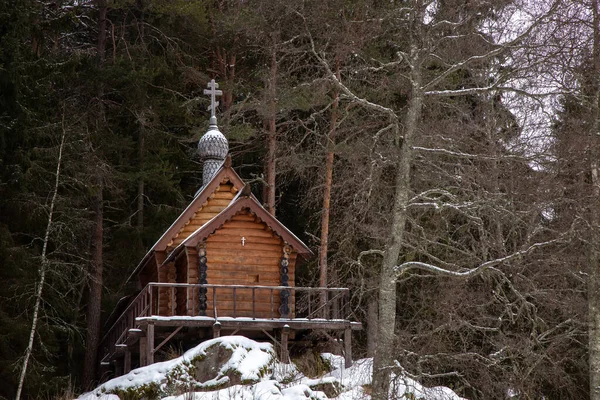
(383, 360)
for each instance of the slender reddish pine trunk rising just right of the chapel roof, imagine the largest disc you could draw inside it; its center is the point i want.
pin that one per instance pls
(327, 192)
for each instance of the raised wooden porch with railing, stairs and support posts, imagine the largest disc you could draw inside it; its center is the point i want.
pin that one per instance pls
(161, 310)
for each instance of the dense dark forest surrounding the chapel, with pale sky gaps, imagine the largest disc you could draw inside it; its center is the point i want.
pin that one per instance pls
(439, 156)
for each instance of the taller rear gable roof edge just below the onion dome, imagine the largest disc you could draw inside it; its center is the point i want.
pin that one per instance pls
(225, 172)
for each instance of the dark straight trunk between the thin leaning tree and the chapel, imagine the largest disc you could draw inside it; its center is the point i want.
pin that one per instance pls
(95, 294)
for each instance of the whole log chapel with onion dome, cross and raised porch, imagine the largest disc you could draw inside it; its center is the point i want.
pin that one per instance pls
(225, 266)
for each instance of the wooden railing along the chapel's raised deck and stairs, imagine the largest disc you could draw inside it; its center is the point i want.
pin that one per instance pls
(216, 301)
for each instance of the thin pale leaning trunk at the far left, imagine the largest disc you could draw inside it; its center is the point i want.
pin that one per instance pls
(42, 271)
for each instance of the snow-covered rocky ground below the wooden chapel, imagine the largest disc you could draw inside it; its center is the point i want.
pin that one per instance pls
(235, 367)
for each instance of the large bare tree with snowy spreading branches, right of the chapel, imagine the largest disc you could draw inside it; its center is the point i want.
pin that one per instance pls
(428, 45)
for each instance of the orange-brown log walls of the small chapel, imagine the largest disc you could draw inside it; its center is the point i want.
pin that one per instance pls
(256, 262)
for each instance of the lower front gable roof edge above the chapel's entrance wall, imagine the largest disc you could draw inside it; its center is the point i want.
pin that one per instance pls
(239, 203)
